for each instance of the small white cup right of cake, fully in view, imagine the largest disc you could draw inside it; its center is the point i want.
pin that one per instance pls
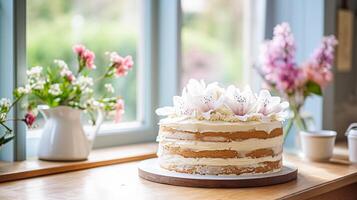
(318, 145)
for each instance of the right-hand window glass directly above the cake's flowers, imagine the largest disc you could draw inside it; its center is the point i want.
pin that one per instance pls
(212, 40)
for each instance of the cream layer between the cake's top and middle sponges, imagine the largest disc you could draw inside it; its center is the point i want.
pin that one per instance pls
(244, 145)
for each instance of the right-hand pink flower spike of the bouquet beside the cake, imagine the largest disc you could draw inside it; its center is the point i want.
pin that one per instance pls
(318, 68)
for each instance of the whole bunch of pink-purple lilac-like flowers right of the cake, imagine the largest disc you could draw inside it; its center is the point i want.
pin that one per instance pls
(281, 73)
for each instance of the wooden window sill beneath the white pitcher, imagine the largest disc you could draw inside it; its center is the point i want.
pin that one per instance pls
(10, 171)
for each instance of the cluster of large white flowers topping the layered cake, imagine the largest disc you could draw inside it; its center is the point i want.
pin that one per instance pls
(212, 103)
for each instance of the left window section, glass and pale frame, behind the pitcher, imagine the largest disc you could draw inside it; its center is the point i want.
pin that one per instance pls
(101, 25)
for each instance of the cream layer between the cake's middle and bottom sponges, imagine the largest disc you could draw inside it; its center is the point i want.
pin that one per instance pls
(180, 160)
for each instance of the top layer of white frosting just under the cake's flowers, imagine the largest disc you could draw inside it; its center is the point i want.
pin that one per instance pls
(195, 125)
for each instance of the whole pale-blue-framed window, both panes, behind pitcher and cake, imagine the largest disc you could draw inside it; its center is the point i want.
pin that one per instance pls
(213, 39)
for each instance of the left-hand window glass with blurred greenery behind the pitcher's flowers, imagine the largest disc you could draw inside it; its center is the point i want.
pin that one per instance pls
(101, 25)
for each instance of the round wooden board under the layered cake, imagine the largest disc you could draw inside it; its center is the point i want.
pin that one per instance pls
(150, 170)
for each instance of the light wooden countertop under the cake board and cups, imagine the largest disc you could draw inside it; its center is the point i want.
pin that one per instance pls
(121, 181)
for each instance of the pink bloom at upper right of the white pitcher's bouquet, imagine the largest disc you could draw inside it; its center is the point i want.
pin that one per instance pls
(121, 65)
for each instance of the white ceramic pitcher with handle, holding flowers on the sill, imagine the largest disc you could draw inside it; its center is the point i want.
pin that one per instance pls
(63, 137)
